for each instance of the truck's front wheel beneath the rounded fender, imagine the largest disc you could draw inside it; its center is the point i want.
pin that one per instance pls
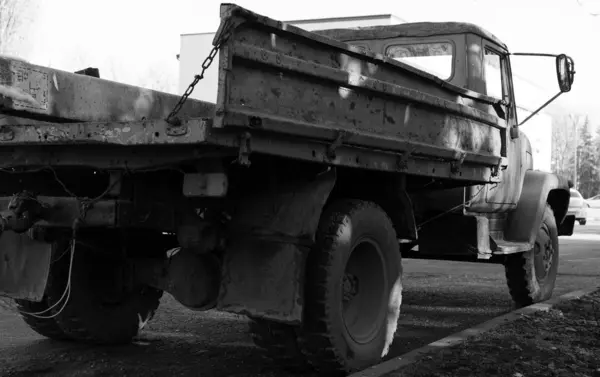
(531, 275)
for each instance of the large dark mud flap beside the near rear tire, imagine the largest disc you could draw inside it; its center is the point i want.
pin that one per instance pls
(263, 267)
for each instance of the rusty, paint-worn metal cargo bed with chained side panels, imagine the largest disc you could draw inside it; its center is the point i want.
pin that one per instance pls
(282, 91)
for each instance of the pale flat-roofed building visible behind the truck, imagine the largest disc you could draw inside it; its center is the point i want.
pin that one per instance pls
(195, 47)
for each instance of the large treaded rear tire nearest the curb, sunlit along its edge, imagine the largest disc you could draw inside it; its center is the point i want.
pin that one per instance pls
(355, 264)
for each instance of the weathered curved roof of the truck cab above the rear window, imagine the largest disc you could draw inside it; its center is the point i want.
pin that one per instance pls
(409, 29)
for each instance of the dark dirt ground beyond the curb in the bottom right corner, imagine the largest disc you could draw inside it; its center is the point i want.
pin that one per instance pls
(564, 341)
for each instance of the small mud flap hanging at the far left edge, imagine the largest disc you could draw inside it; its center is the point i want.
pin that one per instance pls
(24, 266)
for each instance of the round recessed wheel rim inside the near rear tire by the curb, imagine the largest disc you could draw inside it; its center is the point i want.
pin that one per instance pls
(363, 291)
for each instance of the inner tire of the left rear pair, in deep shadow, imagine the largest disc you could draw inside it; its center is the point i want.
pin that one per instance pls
(95, 312)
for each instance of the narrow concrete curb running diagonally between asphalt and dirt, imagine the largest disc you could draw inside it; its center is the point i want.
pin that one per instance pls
(459, 337)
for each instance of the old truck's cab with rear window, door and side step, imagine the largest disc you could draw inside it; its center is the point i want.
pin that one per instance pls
(476, 64)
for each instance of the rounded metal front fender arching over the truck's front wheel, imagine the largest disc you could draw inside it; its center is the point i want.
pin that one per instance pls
(539, 188)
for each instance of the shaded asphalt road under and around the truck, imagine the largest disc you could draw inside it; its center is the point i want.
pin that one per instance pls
(440, 298)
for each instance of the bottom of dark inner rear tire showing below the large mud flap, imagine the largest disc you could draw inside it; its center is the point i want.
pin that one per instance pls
(279, 343)
